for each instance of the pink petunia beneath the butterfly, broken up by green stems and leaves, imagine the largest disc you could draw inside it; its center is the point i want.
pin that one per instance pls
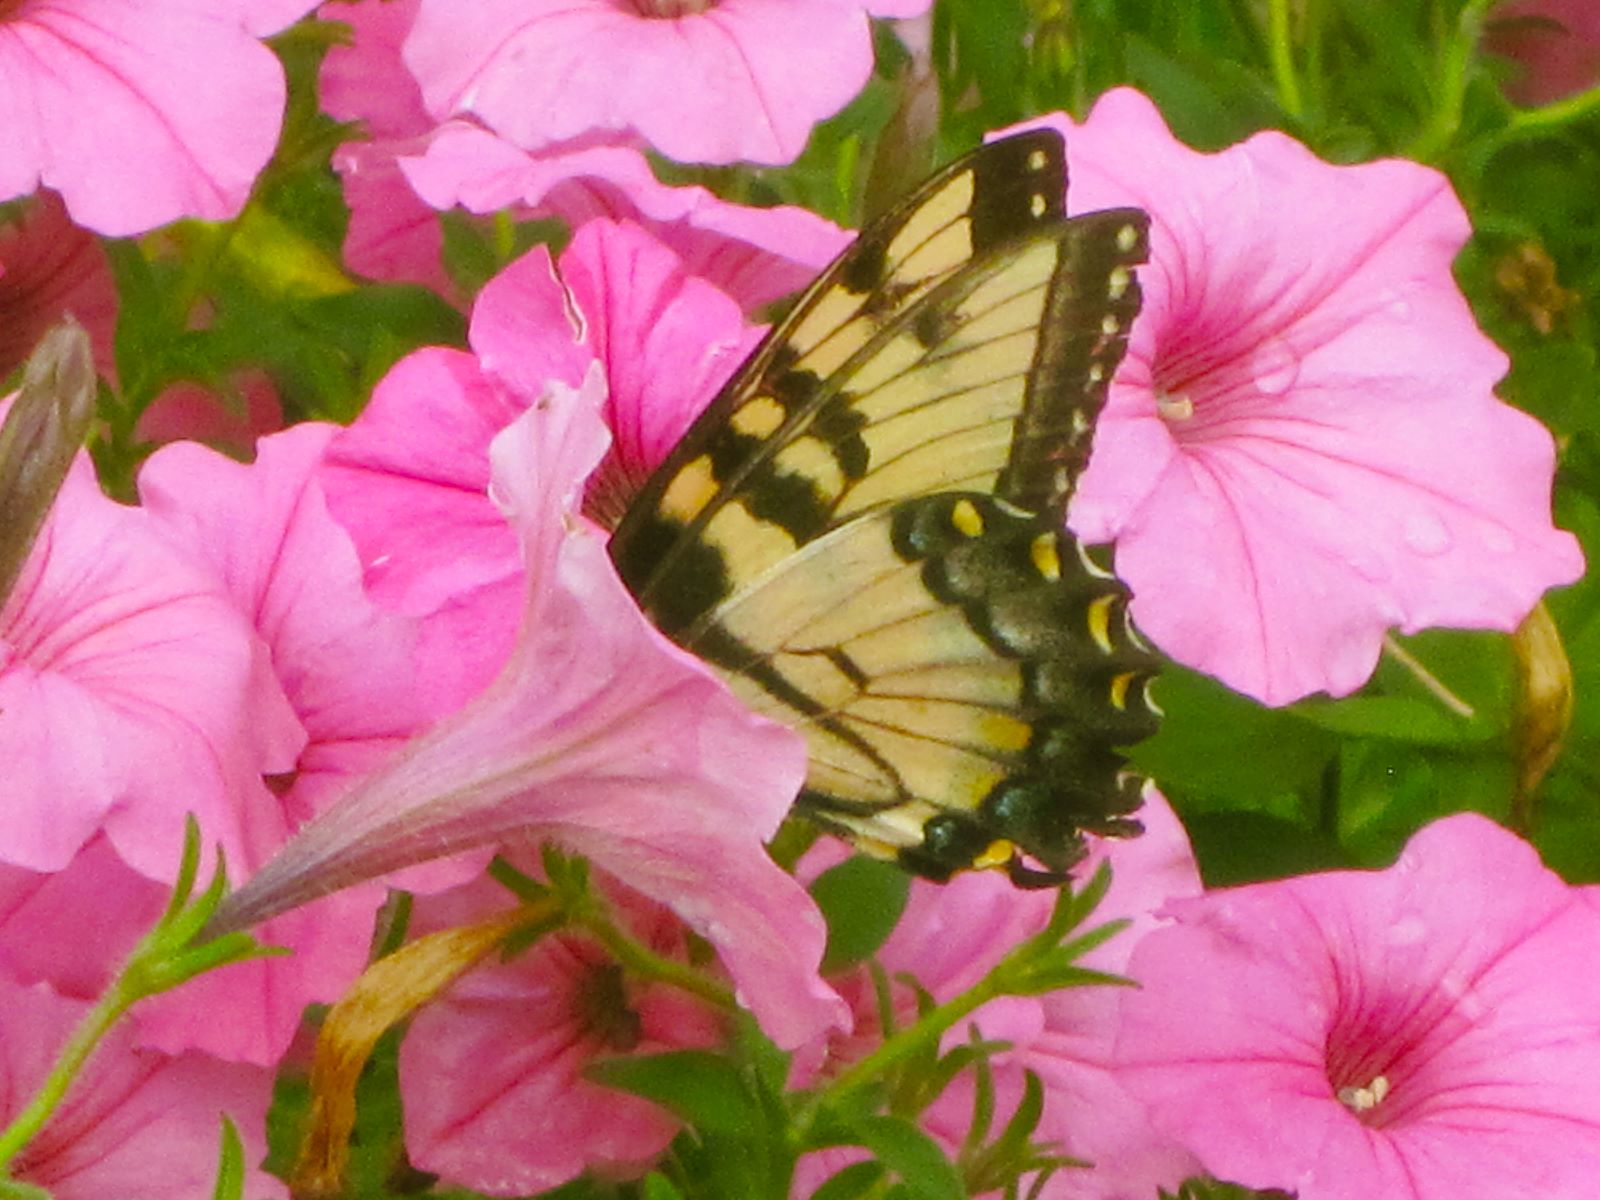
(953, 935)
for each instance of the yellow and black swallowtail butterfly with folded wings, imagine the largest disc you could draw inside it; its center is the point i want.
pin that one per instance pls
(865, 532)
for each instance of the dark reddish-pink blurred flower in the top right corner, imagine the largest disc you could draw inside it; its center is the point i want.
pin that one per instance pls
(1556, 46)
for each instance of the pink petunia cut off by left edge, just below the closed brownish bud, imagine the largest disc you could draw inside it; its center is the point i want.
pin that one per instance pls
(130, 694)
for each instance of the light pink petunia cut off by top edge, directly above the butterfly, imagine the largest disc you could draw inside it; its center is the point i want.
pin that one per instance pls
(702, 81)
